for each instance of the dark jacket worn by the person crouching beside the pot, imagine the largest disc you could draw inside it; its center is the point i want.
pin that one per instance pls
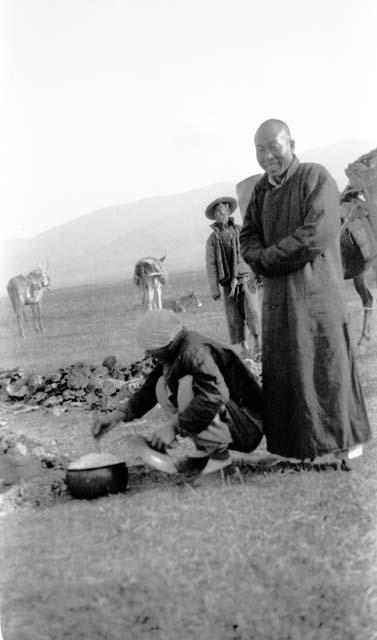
(220, 378)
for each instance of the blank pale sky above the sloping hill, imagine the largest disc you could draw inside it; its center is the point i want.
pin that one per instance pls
(107, 101)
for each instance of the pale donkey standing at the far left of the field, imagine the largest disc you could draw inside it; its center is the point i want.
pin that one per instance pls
(27, 291)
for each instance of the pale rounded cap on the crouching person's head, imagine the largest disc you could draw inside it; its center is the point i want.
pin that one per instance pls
(157, 329)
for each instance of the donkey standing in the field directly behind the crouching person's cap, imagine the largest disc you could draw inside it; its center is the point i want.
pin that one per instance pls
(149, 275)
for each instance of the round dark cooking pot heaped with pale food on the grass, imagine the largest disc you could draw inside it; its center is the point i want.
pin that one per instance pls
(95, 475)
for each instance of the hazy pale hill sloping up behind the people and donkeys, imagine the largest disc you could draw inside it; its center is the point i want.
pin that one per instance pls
(104, 245)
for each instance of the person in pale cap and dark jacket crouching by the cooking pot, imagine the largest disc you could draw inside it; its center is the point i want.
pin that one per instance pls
(204, 388)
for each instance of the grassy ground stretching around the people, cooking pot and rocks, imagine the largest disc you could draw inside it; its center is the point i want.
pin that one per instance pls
(286, 555)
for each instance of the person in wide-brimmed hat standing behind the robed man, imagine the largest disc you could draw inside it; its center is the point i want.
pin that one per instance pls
(229, 274)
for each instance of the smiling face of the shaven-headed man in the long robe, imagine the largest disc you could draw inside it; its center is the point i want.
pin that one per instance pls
(274, 149)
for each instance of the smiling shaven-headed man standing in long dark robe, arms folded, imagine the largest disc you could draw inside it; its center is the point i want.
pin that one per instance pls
(313, 401)
